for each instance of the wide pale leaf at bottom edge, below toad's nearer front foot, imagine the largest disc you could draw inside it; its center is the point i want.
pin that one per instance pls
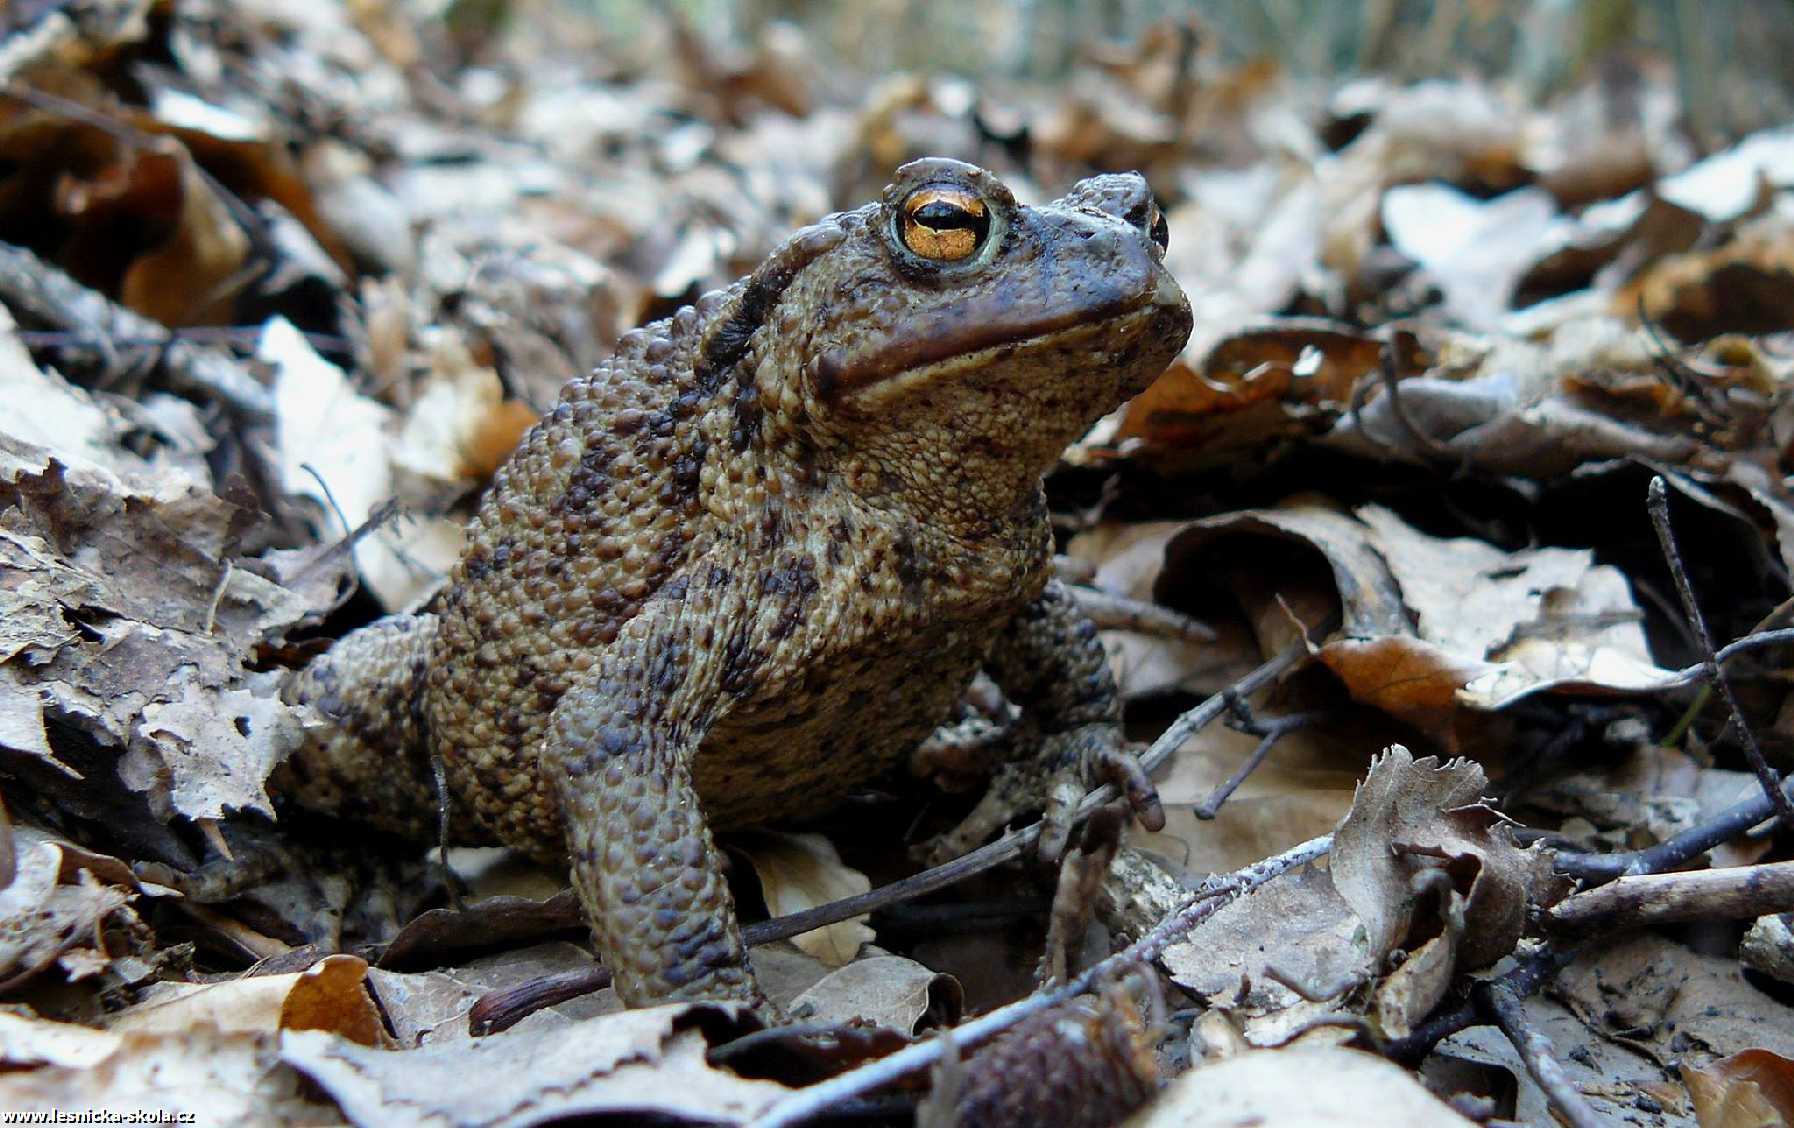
(640, 1063)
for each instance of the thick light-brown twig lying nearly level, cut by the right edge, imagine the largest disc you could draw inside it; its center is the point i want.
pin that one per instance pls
(1650, 899)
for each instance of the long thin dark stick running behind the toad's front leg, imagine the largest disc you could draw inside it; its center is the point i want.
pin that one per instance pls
(500, 1011)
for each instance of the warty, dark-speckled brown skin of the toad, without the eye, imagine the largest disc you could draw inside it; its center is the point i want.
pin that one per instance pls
(756, 557)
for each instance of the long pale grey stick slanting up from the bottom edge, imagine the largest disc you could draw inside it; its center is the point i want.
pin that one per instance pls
(1210, 899)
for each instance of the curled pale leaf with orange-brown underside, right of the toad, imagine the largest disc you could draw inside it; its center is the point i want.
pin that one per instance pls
(1431, 625)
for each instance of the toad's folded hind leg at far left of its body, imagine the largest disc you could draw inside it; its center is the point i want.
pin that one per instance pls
(370, 763)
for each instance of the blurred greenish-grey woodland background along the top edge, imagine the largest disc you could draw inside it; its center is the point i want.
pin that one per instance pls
(1734, 60)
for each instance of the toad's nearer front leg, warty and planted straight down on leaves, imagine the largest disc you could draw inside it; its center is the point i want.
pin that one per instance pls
(649, 874)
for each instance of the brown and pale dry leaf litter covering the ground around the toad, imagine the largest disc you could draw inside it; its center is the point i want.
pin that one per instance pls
(284, 282)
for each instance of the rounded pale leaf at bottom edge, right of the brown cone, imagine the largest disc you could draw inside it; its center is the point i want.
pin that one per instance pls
(1296, 1088)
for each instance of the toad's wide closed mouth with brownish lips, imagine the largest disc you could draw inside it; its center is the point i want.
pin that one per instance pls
(1156, 318)
